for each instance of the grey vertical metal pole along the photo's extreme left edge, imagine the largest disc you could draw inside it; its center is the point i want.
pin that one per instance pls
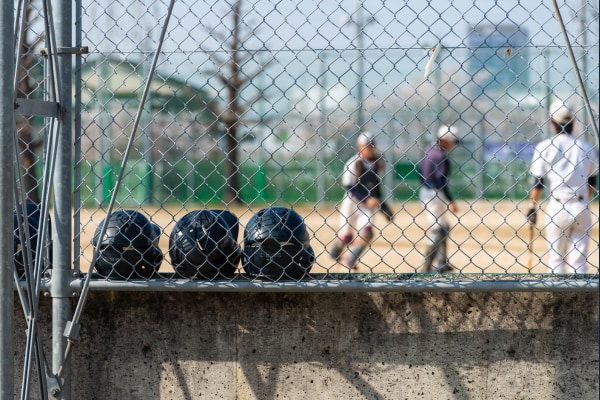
(7, 177)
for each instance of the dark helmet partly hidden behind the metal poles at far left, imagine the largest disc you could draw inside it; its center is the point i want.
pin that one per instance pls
(31, 227)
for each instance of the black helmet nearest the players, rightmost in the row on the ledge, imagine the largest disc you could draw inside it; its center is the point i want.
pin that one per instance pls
(276, 245)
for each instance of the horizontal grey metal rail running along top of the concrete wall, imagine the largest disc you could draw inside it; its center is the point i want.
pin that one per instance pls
(357, 283)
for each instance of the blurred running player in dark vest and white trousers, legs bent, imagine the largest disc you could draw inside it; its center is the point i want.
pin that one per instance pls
(362, 180)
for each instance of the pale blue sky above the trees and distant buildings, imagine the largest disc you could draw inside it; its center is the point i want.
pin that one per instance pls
(315, 44)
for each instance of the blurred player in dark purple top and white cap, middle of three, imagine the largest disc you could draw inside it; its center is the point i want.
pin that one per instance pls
(434, 171)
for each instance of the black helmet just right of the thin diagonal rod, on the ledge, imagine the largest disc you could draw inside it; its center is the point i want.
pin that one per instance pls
(129, 248)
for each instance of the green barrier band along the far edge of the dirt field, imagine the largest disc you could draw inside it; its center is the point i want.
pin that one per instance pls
(295, 182)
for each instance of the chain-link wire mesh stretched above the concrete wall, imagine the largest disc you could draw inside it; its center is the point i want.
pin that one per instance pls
(260, 104)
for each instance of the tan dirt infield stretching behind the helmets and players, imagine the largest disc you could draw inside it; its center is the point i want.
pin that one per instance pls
(487, 237)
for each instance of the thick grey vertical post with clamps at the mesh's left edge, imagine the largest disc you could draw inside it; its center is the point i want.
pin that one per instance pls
(61, 224)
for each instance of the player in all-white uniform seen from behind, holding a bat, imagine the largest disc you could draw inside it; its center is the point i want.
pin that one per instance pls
(567, 167)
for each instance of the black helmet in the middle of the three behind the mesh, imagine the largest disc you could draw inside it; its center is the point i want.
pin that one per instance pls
(203, 245)
